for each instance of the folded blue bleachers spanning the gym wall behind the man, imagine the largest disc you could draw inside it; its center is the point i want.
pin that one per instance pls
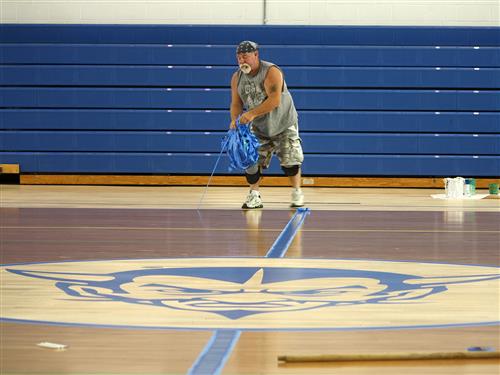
(154, 99)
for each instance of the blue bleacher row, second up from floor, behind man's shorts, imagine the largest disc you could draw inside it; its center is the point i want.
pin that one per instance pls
(317, 143)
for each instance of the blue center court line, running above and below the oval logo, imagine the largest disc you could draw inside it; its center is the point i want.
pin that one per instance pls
(214, 356)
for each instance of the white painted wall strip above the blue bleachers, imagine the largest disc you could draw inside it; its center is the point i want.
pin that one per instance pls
(248, 12)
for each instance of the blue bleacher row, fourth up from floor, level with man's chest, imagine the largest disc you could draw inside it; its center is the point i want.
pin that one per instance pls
(305, 99)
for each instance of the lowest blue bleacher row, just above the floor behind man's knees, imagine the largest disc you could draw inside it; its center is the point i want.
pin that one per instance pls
(197, 163)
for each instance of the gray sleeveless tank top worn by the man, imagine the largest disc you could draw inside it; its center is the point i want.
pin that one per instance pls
(252, 93)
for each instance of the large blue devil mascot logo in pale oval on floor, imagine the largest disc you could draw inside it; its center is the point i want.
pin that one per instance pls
(234, 296)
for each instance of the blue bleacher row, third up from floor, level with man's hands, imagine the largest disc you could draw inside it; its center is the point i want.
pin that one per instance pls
(217, 120)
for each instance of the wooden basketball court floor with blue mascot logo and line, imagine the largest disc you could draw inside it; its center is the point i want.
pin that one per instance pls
(151, 280)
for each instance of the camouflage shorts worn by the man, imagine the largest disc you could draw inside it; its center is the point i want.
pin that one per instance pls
(287, 146)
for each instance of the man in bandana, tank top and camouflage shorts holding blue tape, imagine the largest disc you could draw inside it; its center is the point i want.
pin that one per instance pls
(259, 87)
